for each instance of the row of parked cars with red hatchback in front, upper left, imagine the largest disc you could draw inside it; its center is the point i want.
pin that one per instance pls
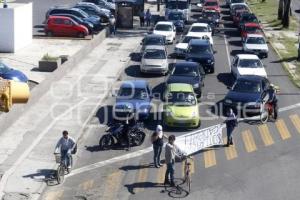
(85, 18)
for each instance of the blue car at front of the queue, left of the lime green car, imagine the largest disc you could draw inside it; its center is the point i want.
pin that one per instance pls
(134, 97)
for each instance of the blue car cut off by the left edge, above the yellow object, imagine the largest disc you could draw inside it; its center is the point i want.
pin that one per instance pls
(12, 74)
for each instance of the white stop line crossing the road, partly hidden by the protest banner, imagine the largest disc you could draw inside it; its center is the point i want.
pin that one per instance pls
(143, 151)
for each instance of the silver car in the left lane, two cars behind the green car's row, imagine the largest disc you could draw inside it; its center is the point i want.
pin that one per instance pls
(155, 60)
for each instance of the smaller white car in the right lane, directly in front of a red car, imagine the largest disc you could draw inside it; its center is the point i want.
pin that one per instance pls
(256, 44)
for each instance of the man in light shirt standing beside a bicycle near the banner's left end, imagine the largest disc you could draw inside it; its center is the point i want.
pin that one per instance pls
(170, 153)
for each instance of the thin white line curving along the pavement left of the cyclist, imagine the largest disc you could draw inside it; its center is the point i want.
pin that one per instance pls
(13, 168)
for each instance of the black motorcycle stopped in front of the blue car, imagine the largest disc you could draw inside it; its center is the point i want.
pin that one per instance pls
(117, 135)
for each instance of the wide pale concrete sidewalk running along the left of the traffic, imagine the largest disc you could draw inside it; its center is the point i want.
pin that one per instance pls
(26, 147)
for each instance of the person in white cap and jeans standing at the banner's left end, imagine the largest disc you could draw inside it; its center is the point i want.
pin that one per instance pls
(157, 141)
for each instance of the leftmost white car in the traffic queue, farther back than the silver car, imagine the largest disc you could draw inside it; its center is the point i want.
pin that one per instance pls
(166, 29)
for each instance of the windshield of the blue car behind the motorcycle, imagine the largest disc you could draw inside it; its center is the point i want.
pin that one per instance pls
(132, 93)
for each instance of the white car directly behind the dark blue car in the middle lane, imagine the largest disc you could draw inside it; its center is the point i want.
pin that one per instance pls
(201, 30)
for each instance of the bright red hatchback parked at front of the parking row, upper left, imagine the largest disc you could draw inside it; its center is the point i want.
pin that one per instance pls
(64, 26)
